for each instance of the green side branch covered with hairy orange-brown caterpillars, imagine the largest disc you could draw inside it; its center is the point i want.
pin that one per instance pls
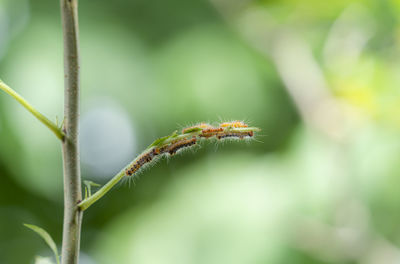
(169, 145)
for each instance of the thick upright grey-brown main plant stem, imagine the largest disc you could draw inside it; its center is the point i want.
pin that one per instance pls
(72, 177)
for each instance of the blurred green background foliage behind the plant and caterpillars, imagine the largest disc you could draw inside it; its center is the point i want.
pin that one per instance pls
(320, 184)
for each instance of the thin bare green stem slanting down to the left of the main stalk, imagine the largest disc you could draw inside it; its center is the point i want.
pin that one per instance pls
(53, 127)
